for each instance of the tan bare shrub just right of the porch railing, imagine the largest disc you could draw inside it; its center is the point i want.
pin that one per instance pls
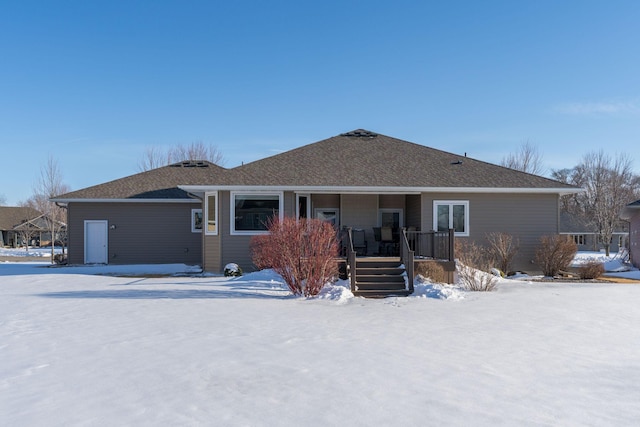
(473, 265)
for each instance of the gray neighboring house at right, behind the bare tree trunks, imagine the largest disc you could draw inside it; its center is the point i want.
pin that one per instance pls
(581, 232)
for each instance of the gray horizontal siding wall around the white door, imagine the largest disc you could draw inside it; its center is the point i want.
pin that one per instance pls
(145, 233)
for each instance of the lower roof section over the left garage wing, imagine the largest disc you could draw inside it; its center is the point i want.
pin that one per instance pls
(156, 184)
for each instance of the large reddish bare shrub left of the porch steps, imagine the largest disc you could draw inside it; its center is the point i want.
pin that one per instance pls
(302, 251)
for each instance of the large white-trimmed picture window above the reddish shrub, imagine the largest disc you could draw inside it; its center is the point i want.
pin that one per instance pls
(251, 212)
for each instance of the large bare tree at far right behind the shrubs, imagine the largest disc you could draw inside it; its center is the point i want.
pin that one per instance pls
(609, 185)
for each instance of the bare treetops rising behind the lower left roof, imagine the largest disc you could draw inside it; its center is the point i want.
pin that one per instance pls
(154, 157)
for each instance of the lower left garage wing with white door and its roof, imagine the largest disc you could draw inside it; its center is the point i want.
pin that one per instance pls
(140, 219)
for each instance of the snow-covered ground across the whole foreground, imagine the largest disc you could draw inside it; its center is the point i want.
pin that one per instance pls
(78, 348)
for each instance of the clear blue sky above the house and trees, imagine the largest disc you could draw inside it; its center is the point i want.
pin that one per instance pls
(96, 83)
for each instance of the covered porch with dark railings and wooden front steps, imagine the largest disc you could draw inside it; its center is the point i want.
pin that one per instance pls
(383, 238)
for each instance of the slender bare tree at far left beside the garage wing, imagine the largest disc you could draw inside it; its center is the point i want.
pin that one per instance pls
(48, 186)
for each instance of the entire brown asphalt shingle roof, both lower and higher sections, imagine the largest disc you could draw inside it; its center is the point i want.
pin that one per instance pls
(354, 159)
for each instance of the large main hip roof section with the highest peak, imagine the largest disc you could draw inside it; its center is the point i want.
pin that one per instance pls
(364, 159)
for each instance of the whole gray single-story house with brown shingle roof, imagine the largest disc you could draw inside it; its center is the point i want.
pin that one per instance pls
(200, 213)
